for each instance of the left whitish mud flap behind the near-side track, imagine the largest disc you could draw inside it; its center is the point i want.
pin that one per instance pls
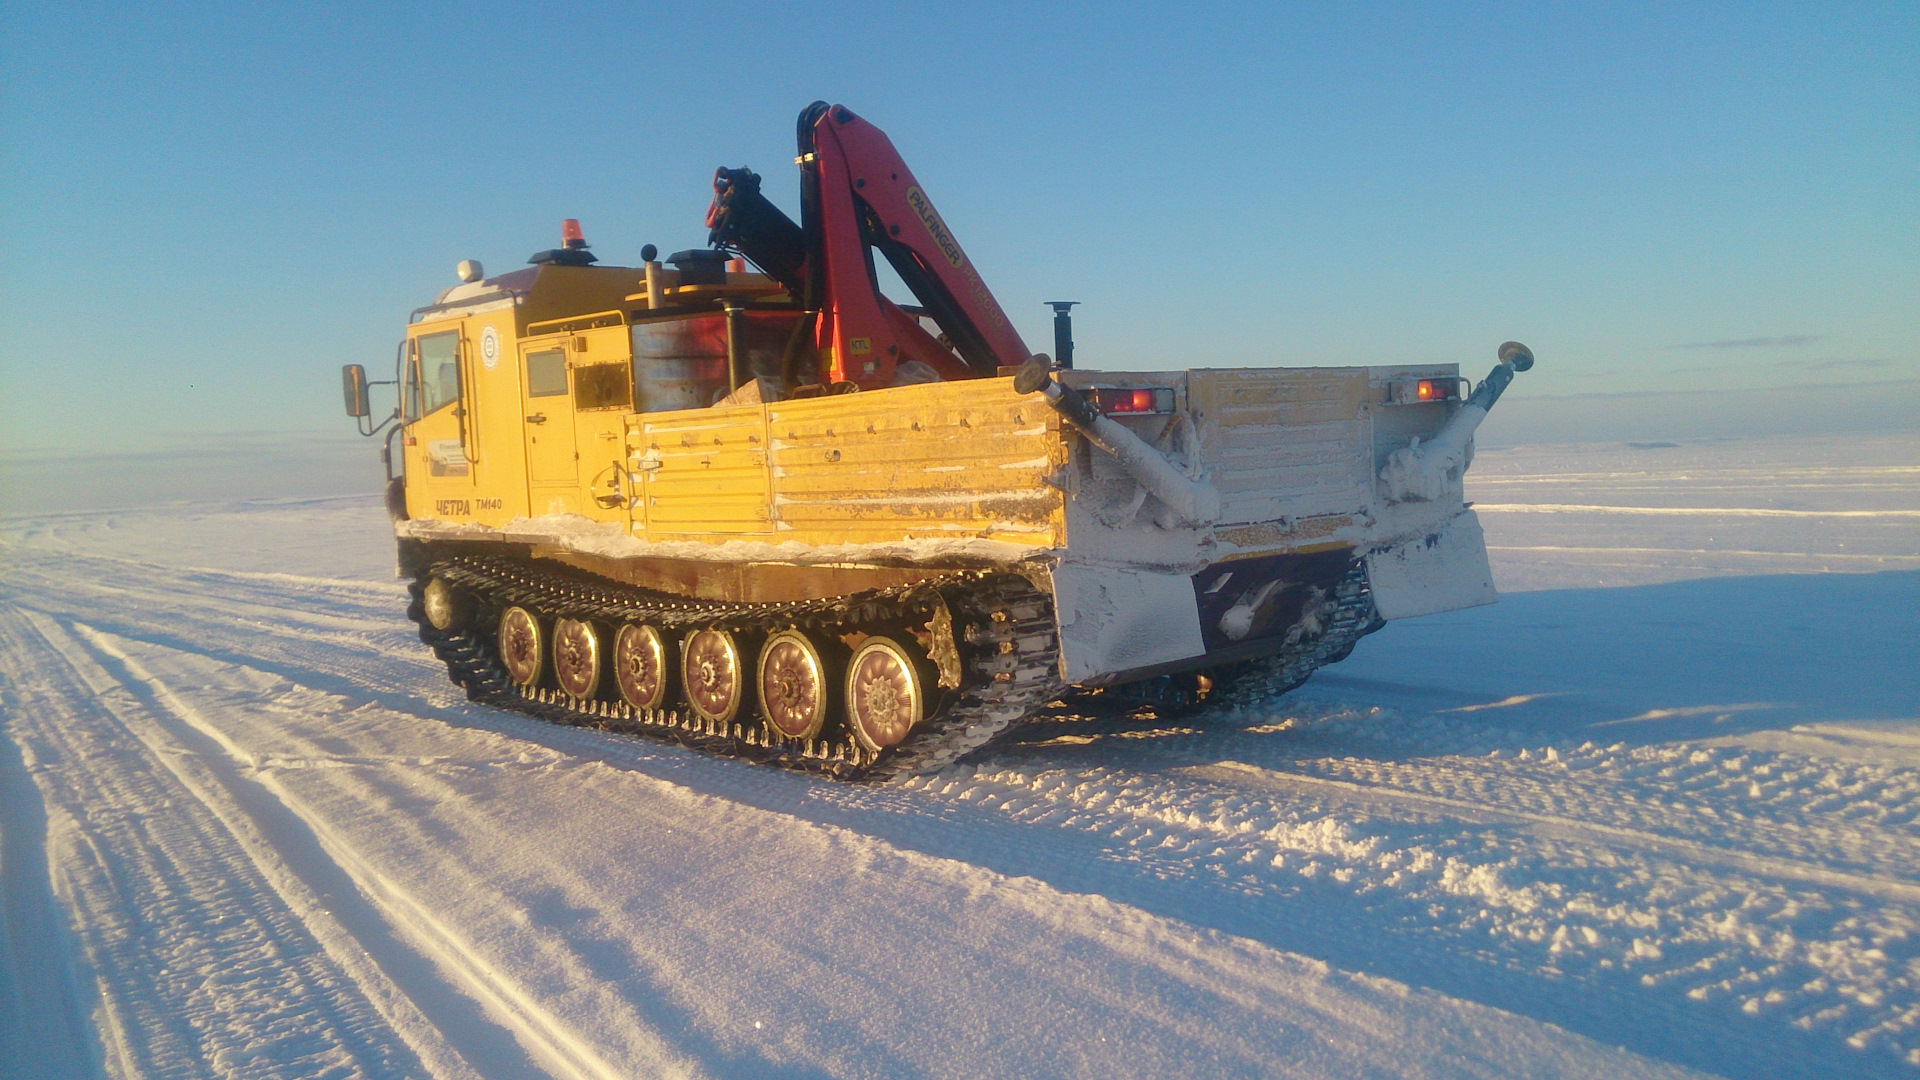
(1115, 620)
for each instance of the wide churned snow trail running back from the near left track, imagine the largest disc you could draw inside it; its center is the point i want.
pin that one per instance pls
(1823, 954)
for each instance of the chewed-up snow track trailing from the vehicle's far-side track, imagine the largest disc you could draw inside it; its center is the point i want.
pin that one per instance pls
(1474, 768)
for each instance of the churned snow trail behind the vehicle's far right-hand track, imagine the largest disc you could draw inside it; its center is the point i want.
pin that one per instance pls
(1671, 816)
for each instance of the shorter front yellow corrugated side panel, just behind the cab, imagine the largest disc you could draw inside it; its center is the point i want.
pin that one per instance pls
(713, 476)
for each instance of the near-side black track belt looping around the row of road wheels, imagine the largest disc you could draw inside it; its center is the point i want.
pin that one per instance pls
(1003, 627)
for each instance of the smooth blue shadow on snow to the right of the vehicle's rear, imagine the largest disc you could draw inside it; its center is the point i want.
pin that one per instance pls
(1658, 664)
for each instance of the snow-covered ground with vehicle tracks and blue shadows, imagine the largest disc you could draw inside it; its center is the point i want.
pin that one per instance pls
(1656, 814)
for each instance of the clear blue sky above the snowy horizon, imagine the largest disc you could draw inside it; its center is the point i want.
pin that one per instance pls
(210, 209)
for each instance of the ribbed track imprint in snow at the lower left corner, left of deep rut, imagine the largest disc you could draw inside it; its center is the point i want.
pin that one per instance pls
(206, 964)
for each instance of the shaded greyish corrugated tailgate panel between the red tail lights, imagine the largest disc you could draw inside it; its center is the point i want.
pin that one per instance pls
(1284, 443)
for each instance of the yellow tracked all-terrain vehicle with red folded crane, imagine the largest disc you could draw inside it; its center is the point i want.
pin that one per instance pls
(775, 514)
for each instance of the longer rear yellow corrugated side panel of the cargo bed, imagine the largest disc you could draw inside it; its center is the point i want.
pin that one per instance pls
(917, 462)
